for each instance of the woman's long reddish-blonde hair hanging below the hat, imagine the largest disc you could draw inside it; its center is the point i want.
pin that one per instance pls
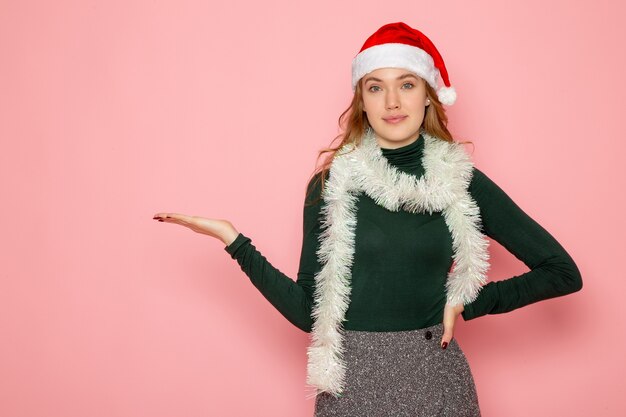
(354, 123)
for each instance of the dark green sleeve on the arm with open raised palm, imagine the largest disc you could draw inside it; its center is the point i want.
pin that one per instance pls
(293, 299)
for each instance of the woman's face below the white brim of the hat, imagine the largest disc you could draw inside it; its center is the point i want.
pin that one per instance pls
(394, 100)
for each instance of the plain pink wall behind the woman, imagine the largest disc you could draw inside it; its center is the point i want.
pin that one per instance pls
(113, 111)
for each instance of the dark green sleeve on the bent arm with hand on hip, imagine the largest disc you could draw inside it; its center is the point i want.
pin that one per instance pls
(553, 272)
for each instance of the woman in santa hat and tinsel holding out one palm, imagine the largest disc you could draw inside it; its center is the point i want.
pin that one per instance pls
(395, 246)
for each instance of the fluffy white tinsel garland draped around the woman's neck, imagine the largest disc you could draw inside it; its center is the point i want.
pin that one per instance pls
(443, 187)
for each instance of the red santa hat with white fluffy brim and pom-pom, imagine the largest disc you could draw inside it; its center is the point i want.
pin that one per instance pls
(397, 45)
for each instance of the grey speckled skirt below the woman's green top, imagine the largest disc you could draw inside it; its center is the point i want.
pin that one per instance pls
(404, 373)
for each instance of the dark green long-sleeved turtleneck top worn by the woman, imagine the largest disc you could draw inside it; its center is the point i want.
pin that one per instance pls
(402, 259)
